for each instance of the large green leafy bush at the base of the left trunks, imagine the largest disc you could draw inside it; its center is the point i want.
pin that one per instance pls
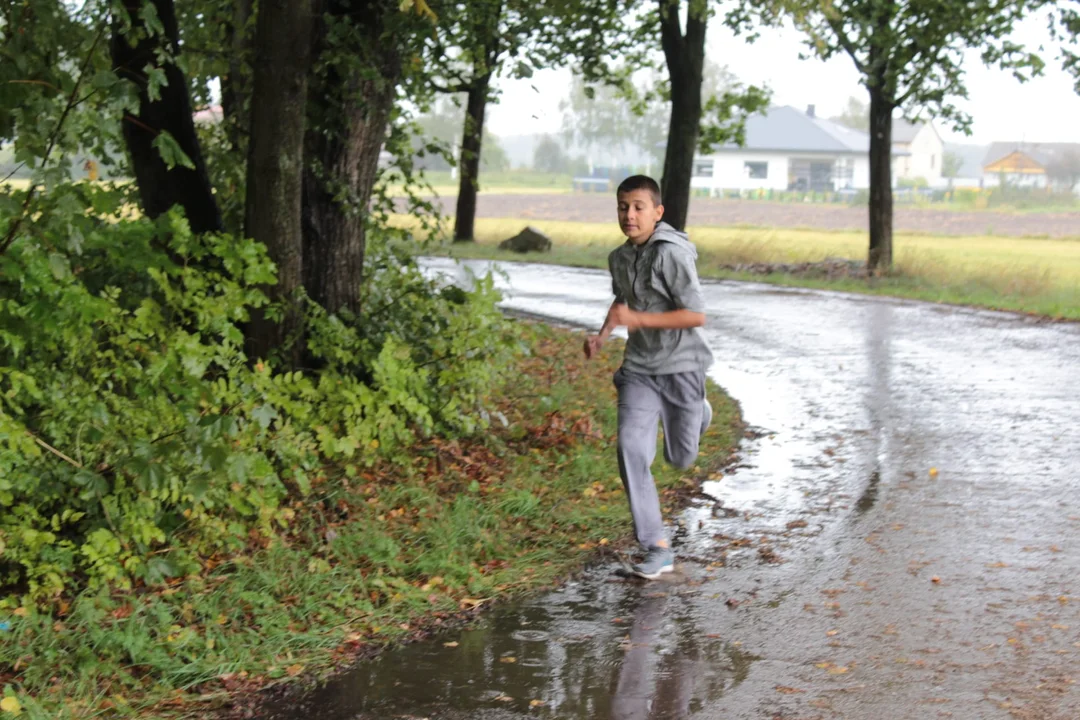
(136, 437)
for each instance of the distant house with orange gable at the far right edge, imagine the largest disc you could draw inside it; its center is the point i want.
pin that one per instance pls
(1054, 166)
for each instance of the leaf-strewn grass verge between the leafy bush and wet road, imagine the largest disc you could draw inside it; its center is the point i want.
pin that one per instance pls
(391, 555)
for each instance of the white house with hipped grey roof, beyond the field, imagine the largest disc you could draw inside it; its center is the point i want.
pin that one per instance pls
(789, 150)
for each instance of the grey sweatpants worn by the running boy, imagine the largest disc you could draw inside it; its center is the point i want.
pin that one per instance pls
(678, 401)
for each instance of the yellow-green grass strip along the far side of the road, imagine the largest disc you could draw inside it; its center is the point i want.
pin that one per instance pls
(1039, 277)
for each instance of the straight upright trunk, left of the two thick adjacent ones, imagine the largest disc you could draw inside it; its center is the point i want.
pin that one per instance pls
(276, 160)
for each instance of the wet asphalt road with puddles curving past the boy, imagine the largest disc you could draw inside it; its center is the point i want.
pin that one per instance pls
(839, 576)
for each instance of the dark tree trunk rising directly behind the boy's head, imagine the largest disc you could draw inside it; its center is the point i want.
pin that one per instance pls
(686, 59)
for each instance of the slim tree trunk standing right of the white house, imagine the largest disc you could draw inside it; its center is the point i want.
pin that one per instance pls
(881, 253)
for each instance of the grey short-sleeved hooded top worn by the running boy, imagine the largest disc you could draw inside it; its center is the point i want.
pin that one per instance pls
(658, 277)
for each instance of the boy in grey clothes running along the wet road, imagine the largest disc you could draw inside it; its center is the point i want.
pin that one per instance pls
(658, 300)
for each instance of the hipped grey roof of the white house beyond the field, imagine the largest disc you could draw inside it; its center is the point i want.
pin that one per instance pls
(787, 129)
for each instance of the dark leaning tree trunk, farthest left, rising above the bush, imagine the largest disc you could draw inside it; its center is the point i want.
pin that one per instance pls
(159, 187)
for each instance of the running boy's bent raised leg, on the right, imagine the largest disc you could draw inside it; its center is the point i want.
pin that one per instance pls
(684, 413)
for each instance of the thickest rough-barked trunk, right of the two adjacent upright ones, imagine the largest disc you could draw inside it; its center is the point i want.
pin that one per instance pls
(353, 101)
